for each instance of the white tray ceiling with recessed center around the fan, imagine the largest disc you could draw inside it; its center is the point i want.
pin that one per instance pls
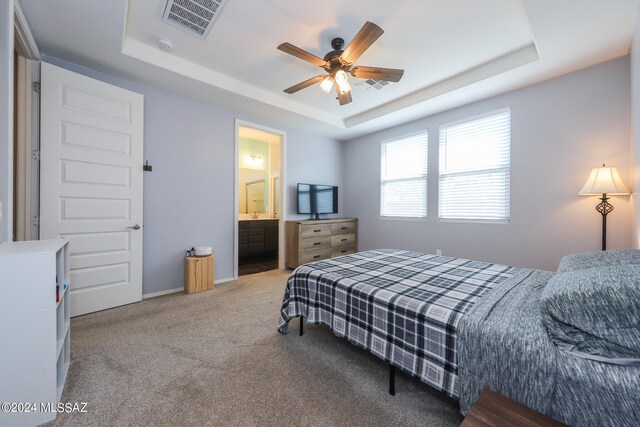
(453, 52)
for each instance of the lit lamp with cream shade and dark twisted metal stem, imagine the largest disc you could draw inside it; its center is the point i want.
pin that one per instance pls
(604, 182)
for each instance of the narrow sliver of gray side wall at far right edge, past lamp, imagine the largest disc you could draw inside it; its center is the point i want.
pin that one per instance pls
(634, 56)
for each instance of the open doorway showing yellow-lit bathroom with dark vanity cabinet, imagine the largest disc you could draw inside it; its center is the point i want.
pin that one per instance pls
(259, 194)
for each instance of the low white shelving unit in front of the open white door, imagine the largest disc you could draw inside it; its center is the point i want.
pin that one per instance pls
(35, 326)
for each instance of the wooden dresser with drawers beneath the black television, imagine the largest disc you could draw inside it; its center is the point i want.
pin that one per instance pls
(314, 240)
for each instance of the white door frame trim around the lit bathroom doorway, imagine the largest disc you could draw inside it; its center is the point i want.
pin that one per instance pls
(283, 194)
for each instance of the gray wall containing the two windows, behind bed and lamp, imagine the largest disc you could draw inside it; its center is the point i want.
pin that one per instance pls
(560, 130)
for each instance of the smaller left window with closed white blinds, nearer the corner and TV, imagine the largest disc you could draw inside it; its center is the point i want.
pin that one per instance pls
(403, 180)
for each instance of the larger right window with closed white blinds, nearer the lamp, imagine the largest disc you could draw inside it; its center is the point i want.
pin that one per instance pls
(475, 168)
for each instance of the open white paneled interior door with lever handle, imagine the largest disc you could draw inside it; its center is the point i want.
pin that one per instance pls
(91, 185)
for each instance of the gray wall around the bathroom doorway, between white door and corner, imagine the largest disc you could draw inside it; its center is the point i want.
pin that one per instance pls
(188, 197)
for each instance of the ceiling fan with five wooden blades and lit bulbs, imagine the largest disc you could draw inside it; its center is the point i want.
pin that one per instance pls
(339, 62)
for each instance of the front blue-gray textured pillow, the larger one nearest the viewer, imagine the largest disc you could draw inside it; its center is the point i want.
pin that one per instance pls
(596, 309)
